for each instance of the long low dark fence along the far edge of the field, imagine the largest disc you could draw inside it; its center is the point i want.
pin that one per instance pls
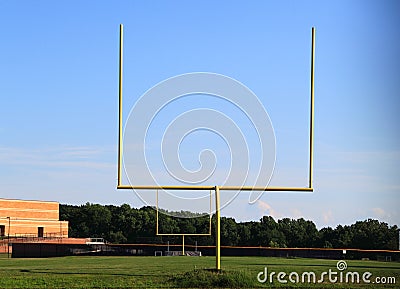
(63, 249)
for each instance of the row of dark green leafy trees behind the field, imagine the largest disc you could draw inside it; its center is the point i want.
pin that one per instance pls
(123, 224)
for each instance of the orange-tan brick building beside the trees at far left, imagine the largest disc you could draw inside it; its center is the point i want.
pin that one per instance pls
(20, 218)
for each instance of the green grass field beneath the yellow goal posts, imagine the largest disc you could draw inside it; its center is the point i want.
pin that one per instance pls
(177, 272)
